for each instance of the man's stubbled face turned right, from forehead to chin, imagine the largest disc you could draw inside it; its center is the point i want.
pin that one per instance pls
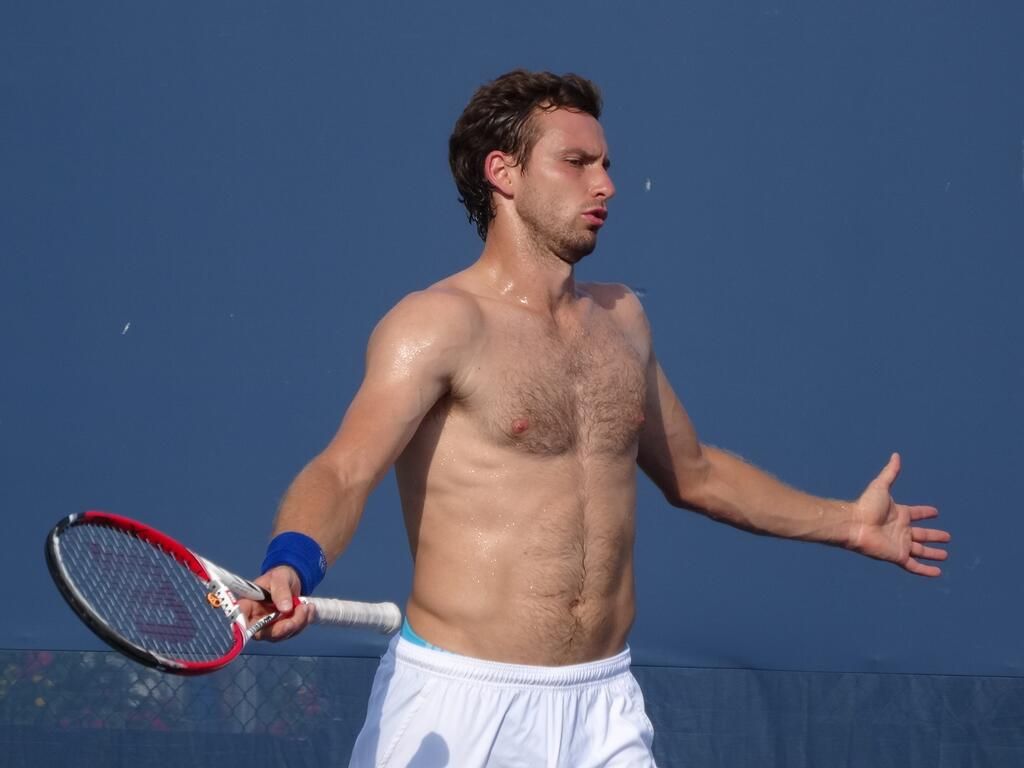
(564, 192)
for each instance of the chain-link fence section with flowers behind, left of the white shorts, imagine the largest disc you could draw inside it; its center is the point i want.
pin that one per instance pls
(102, 709)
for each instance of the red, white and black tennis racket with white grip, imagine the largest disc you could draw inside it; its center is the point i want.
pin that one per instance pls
(160, 604)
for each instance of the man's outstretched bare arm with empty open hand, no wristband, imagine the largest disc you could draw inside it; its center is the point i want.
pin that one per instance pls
(728, 489)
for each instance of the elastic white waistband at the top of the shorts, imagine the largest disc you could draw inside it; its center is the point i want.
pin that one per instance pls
(498, 673)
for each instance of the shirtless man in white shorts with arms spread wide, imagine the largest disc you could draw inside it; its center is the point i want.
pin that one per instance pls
(517, 406)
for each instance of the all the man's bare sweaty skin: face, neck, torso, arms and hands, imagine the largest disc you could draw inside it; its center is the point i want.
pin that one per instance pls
(517, 406)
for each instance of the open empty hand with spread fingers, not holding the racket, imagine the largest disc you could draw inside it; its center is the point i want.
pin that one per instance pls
(884, 530)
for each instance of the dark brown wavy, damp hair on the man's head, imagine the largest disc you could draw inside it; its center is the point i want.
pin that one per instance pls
(500, 116)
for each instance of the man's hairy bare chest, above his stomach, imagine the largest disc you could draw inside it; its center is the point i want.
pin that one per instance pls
(552, 394)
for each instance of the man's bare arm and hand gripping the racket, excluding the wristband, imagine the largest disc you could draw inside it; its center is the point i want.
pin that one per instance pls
(411, 360)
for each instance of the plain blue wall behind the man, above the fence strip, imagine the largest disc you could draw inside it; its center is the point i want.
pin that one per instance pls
(205, 208)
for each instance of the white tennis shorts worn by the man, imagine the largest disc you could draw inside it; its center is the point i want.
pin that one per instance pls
(431, 709)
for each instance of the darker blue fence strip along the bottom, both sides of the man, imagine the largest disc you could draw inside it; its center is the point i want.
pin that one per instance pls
(99, 709)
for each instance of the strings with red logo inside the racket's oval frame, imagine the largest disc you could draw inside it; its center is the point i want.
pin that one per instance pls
(144, 593)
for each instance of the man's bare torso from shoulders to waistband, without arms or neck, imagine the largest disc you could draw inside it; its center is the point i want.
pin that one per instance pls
(520, 487)
